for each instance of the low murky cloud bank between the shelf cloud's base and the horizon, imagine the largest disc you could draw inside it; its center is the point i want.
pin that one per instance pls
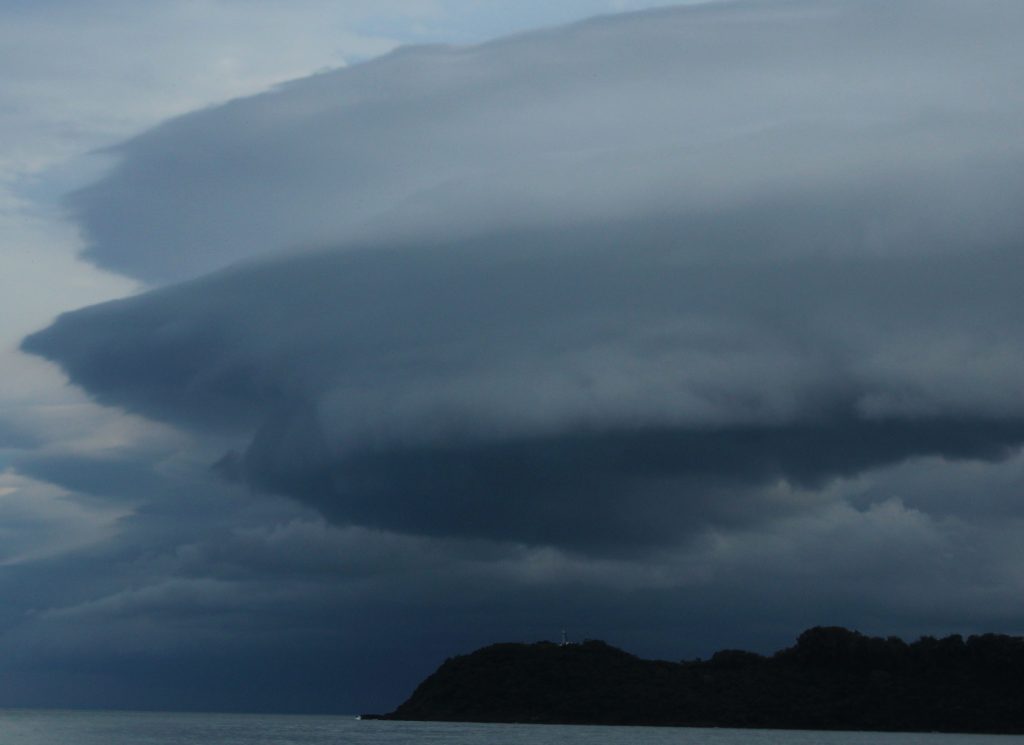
(249, 592)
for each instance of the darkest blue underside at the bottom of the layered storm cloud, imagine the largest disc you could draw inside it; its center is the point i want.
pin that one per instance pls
(605, 492)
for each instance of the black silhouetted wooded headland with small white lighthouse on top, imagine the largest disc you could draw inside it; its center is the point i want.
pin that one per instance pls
(832, 679)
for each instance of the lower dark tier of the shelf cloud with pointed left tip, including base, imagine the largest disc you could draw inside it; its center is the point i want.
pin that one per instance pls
(543, 387)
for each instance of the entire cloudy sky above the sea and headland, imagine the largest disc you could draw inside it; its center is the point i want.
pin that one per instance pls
(340, 338)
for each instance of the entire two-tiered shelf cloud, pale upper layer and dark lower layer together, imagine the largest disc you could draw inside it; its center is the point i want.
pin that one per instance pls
(590, 288)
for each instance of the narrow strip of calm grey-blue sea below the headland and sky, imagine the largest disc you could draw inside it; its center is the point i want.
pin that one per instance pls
(115, 728)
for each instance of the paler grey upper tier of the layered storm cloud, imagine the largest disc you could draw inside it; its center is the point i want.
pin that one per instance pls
(684, 110)
